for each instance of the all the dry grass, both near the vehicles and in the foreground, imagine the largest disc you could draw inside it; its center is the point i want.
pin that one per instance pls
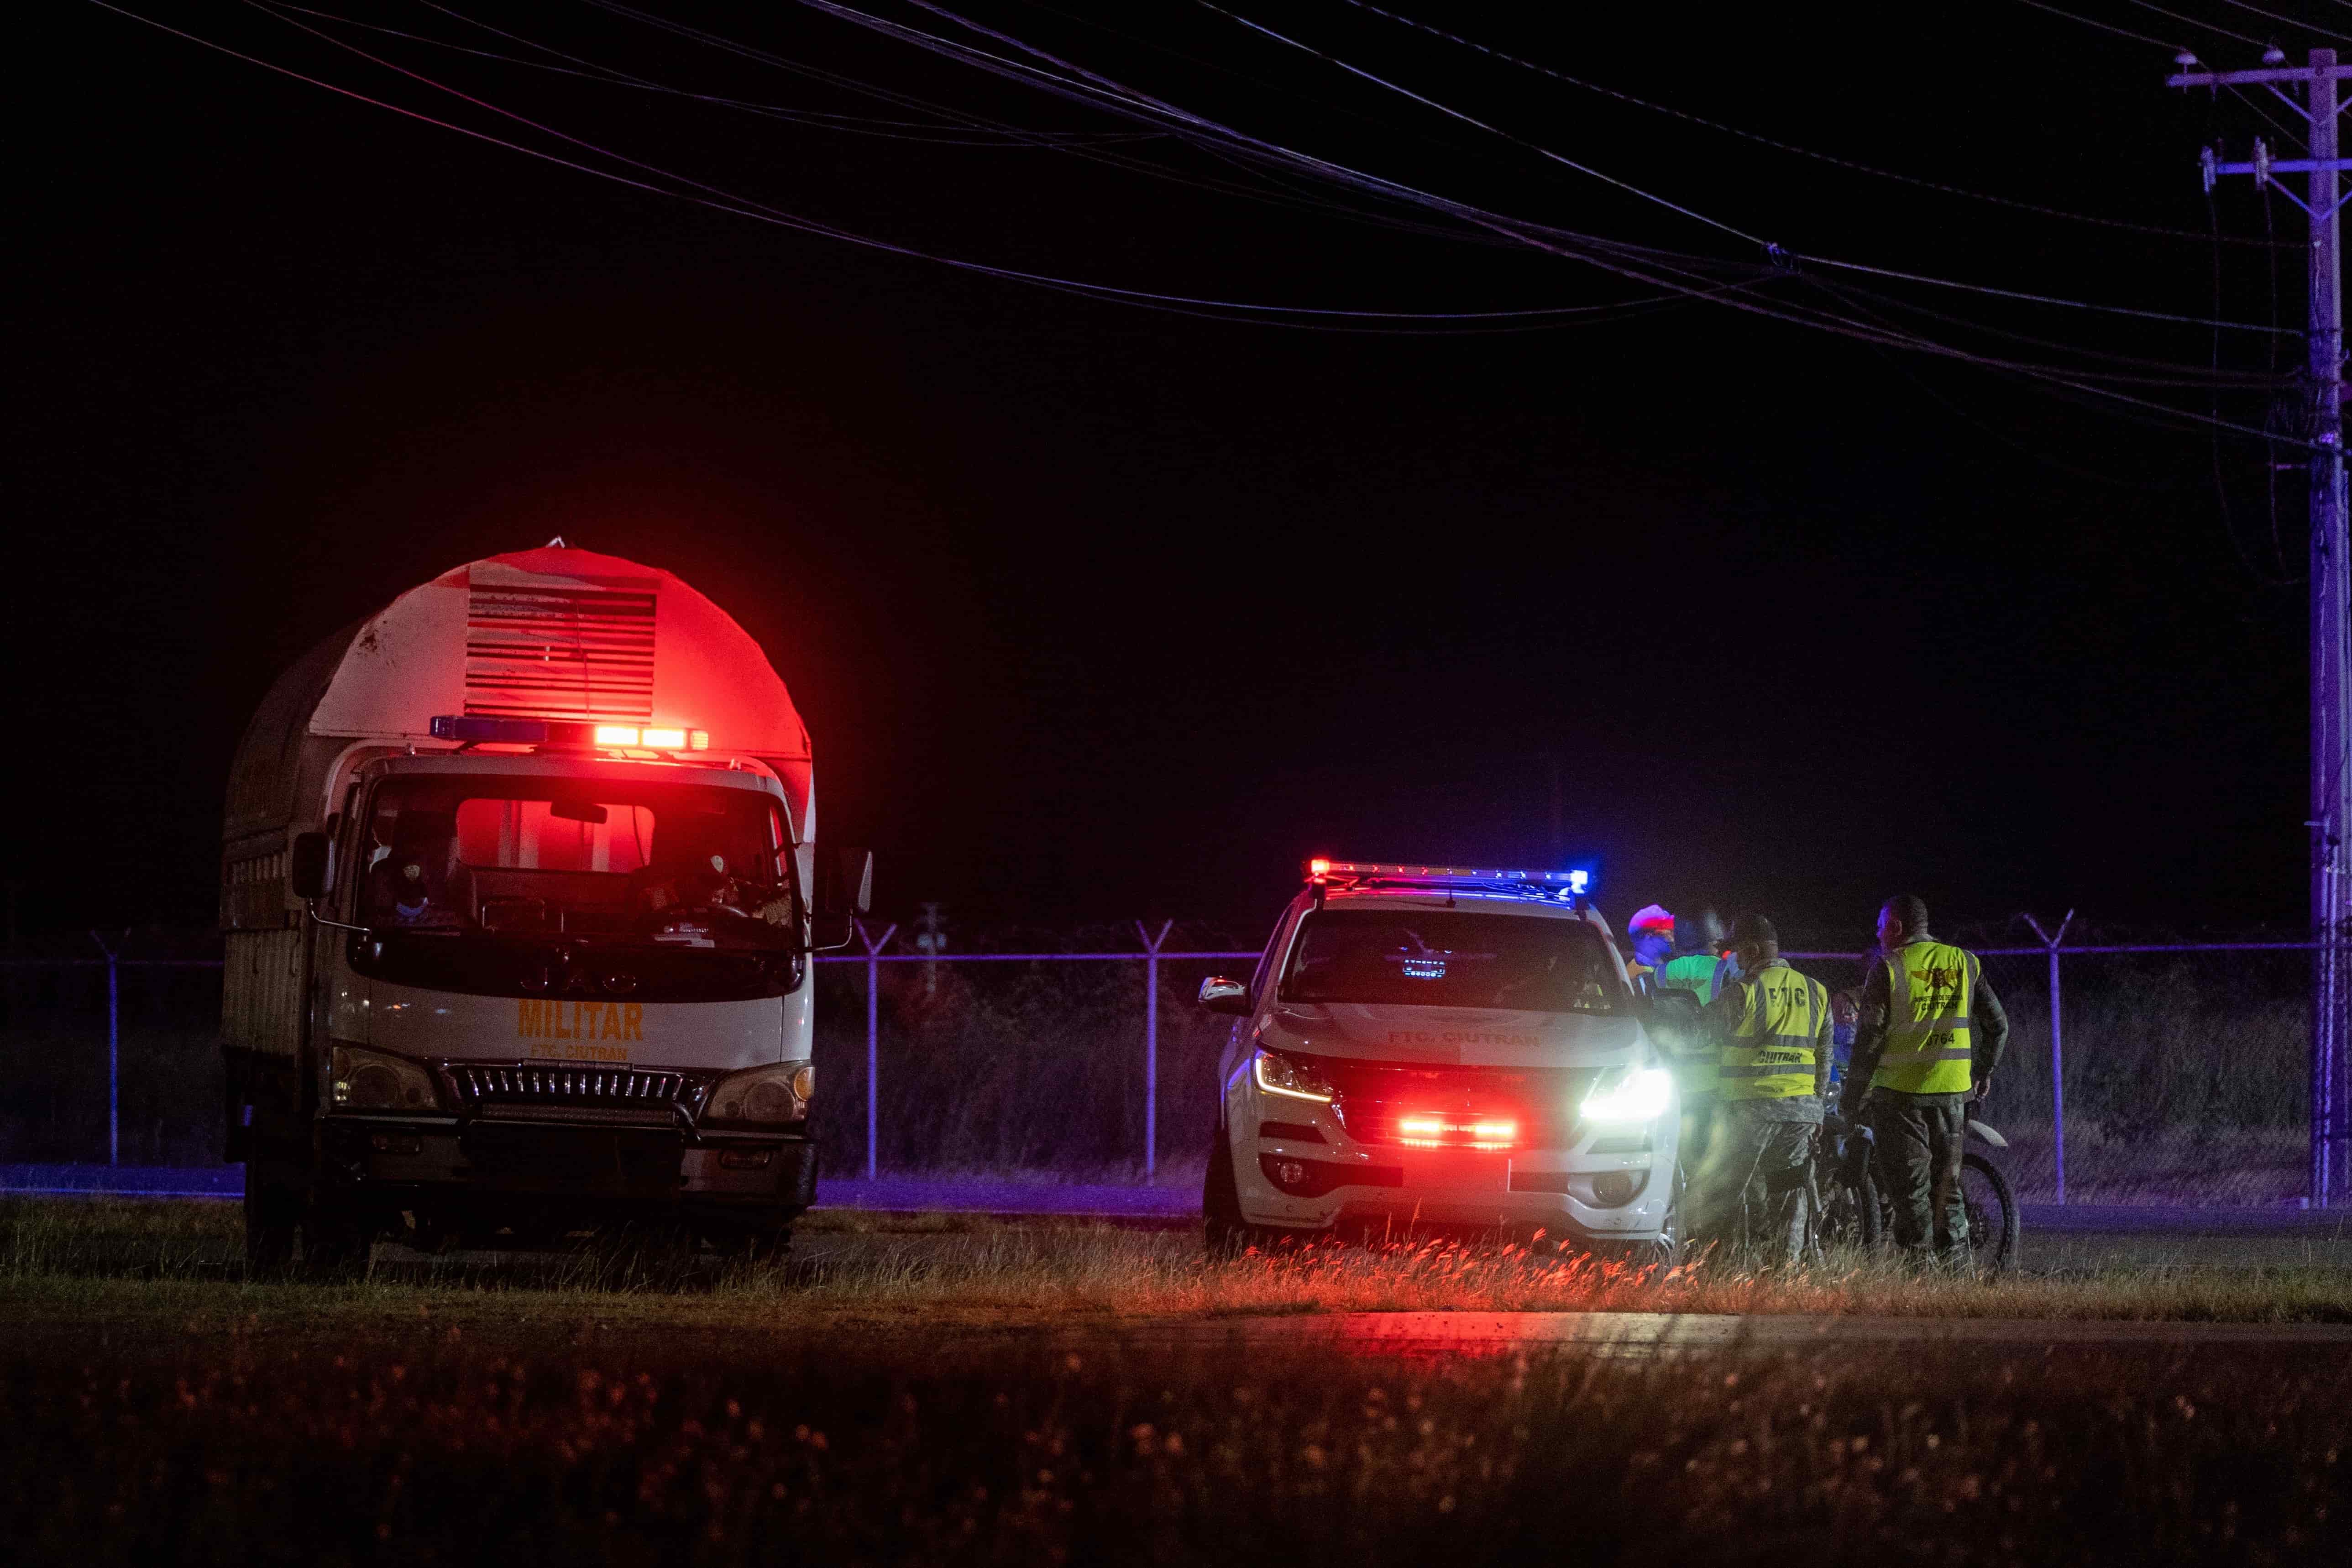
(890, 1400)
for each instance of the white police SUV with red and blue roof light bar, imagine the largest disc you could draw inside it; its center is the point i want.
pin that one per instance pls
(1441, 1047)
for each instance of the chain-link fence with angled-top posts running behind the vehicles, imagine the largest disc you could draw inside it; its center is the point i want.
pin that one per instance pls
(2179, 1073)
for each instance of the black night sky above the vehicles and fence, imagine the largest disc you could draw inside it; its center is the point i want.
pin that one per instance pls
(1107, 612)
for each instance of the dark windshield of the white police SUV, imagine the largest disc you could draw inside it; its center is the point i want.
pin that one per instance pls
(1452, 958)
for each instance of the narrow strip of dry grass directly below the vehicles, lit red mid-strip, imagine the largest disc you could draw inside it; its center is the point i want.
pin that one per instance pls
(173, 1261)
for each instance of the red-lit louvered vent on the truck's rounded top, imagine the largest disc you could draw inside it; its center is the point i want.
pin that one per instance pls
(561, 652)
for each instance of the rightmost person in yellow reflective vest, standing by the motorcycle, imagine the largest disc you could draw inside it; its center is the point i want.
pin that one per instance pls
(1925, 1045)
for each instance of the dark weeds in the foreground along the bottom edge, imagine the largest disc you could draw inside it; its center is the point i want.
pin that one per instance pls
(415, 1442)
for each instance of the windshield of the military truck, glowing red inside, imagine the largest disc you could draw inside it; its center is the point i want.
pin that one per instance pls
(674, 864)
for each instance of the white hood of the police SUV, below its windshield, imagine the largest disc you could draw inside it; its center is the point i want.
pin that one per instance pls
(1450, 1036)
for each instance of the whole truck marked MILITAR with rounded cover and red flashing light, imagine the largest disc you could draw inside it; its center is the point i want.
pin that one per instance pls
(521, 923)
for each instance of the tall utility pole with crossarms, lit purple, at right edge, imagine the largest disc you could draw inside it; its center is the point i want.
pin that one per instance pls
(2332, 582)
